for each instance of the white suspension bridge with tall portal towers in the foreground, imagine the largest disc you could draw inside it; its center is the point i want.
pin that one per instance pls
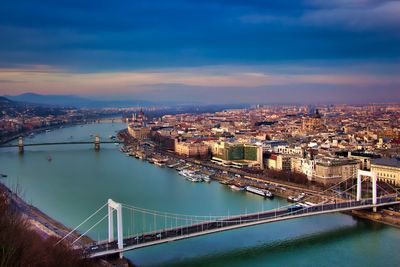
(150, 227)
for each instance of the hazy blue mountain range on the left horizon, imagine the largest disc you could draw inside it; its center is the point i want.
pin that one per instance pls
(74, 101)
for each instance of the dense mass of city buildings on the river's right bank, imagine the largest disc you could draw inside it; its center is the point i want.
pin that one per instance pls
(325, 148)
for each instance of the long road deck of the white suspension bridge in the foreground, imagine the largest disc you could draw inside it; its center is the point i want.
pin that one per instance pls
(229, 223)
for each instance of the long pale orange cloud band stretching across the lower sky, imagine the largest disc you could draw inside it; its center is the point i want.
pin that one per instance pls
(44, 79)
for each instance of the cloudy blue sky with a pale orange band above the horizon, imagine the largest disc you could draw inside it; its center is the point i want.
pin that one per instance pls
(220, 51)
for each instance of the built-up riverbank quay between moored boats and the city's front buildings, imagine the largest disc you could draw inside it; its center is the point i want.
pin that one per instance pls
(241, 179)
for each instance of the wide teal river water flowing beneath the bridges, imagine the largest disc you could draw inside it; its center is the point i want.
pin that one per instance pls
(78, 180)
